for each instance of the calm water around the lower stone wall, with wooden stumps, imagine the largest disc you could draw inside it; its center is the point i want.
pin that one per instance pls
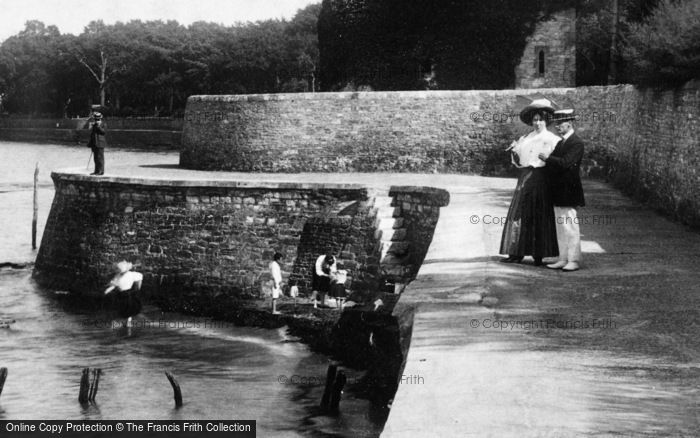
(225, 372)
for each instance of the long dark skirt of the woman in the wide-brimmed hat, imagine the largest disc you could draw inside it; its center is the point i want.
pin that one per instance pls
(530, 228)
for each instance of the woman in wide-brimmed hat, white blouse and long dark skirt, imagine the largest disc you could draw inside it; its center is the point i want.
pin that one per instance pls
(530, 228)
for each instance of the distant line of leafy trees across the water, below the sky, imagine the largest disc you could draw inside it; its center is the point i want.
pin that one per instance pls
(150, 68)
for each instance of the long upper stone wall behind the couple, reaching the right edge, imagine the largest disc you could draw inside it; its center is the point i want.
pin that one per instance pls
(644, 140)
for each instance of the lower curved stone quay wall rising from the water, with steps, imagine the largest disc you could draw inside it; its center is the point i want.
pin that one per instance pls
(197, 241)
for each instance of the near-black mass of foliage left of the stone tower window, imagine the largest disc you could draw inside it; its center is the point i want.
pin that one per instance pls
(410, 44)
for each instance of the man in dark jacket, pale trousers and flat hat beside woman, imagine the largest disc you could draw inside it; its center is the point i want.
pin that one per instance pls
(562, 167)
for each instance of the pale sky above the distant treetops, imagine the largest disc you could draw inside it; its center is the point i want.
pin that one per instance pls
(71, 16)
